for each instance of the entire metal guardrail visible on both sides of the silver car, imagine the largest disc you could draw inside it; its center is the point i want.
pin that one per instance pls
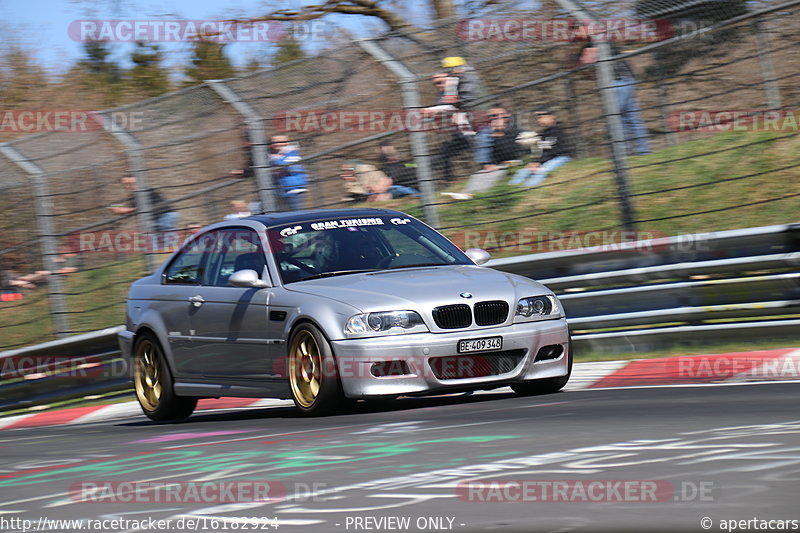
(751, 282)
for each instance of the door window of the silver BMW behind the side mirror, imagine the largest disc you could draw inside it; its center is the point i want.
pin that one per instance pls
(235, 249)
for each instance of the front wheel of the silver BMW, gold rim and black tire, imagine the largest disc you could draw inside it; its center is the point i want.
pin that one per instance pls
(313, 376)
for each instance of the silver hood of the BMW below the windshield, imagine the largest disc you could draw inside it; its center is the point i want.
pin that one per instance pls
(421, 288)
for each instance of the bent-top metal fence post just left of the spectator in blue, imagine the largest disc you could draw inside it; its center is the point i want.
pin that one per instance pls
(258, 142)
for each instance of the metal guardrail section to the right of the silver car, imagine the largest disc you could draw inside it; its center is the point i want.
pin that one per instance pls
(689, 288)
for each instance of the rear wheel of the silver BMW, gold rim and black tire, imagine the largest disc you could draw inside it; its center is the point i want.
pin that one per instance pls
(153, 384)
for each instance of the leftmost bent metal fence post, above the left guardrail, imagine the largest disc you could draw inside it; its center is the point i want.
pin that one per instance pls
(44, 214)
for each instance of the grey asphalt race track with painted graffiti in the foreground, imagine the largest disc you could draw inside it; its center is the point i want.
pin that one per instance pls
(717, 452)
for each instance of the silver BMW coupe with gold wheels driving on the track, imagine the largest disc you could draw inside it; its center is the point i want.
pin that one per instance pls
(330, 306)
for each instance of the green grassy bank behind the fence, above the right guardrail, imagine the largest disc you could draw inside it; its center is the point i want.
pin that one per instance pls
(550, 206)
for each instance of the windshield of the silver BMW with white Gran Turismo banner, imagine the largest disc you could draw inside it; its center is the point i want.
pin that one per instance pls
(340, 246)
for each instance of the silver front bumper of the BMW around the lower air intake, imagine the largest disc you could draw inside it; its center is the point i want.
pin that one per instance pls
(355, 357)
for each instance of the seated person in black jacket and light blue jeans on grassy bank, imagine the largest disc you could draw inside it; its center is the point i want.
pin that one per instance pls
(555, 151)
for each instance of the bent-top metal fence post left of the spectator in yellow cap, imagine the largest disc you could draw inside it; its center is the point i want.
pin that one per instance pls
(419, 143)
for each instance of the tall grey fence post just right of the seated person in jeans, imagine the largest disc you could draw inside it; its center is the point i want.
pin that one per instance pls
(605, 82)
